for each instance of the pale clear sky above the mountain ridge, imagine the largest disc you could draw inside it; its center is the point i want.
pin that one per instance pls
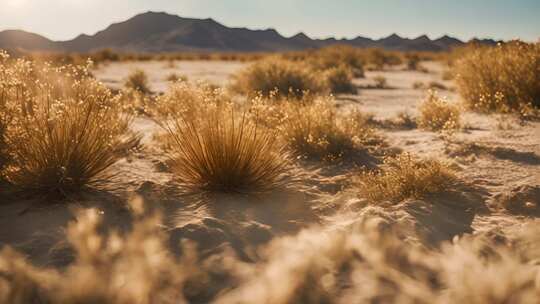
(464, 19)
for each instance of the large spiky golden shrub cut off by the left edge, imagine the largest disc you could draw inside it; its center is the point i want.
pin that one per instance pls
(64, 127)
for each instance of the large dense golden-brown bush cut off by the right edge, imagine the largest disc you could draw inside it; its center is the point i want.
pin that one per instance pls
(502, 79)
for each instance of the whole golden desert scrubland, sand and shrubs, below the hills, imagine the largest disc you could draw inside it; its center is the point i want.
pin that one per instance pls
(327, 176)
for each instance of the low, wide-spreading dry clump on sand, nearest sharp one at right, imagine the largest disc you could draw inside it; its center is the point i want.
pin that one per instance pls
(404, 177)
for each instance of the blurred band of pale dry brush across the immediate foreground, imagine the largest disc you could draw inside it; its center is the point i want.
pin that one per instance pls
(368, 261)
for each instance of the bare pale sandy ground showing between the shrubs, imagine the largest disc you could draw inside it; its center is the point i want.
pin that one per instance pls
(493, 161)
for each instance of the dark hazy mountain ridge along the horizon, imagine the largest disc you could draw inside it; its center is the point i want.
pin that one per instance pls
(161, 32)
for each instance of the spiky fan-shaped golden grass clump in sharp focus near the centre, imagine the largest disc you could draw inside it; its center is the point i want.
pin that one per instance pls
(215, 146)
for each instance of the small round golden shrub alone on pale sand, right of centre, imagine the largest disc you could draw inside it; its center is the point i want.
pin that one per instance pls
(437, 114)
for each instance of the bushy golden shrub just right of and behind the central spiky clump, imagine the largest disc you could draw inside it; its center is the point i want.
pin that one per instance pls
(315, 130)
